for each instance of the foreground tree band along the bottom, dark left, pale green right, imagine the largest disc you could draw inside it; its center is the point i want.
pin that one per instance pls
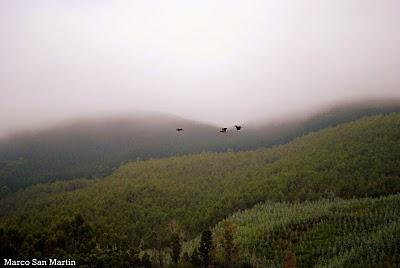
(326, 233)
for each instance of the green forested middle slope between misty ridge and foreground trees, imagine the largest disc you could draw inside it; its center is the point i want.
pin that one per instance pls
(135, 206)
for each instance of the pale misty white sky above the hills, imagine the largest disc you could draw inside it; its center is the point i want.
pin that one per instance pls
(216, 61)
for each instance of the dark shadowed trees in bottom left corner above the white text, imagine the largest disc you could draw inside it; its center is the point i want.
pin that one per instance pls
(71, 238)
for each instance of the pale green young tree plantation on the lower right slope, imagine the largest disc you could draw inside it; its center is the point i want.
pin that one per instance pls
(339, 233)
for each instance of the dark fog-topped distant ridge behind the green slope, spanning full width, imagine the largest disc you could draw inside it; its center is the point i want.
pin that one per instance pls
(94, 148)
